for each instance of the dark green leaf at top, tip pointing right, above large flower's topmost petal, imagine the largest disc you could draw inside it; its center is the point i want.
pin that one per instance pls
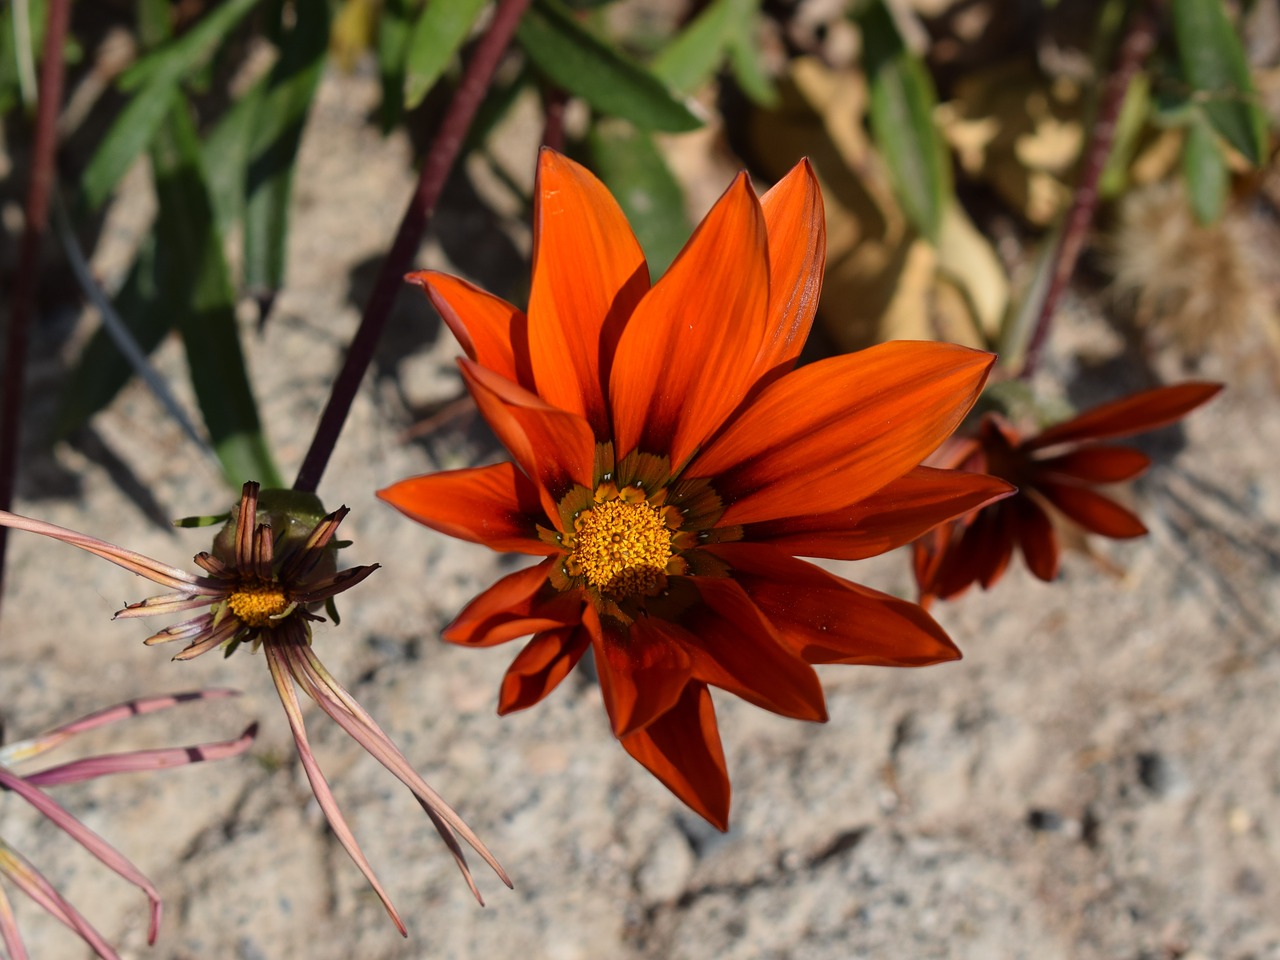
(573, 58)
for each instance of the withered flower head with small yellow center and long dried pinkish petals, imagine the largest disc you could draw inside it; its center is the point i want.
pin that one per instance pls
(260, 584)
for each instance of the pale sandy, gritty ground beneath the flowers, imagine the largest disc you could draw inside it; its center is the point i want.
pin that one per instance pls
(1100, 778)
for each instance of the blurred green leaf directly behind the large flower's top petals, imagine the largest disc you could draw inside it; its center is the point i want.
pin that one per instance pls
(638, 177)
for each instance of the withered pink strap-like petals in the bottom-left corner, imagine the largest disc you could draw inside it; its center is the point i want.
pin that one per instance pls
(30, 787)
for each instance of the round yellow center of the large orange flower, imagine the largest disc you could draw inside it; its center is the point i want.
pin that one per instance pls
(623, 548)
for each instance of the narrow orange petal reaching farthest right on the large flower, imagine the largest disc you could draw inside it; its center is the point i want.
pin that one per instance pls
(895, 515)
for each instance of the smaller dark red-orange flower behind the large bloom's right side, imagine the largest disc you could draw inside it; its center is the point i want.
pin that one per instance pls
(1055, 472)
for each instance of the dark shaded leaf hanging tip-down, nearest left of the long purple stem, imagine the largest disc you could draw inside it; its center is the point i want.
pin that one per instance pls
(273, 148)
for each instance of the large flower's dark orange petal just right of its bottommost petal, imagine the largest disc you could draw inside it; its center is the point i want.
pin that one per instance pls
(735, 648)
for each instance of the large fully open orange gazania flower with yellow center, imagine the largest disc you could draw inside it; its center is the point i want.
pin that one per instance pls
(670, 463)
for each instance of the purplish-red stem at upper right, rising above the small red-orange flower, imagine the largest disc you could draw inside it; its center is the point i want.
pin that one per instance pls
(1139, 42)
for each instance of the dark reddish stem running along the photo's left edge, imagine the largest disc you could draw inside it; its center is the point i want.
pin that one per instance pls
(28, 278)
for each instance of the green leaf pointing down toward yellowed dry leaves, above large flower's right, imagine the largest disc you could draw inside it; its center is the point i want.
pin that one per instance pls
(902, 113)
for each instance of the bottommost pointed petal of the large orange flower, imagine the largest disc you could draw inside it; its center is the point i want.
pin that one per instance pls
(683, 749)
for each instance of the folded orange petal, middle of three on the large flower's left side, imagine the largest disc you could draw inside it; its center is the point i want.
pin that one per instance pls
(554, 446)
